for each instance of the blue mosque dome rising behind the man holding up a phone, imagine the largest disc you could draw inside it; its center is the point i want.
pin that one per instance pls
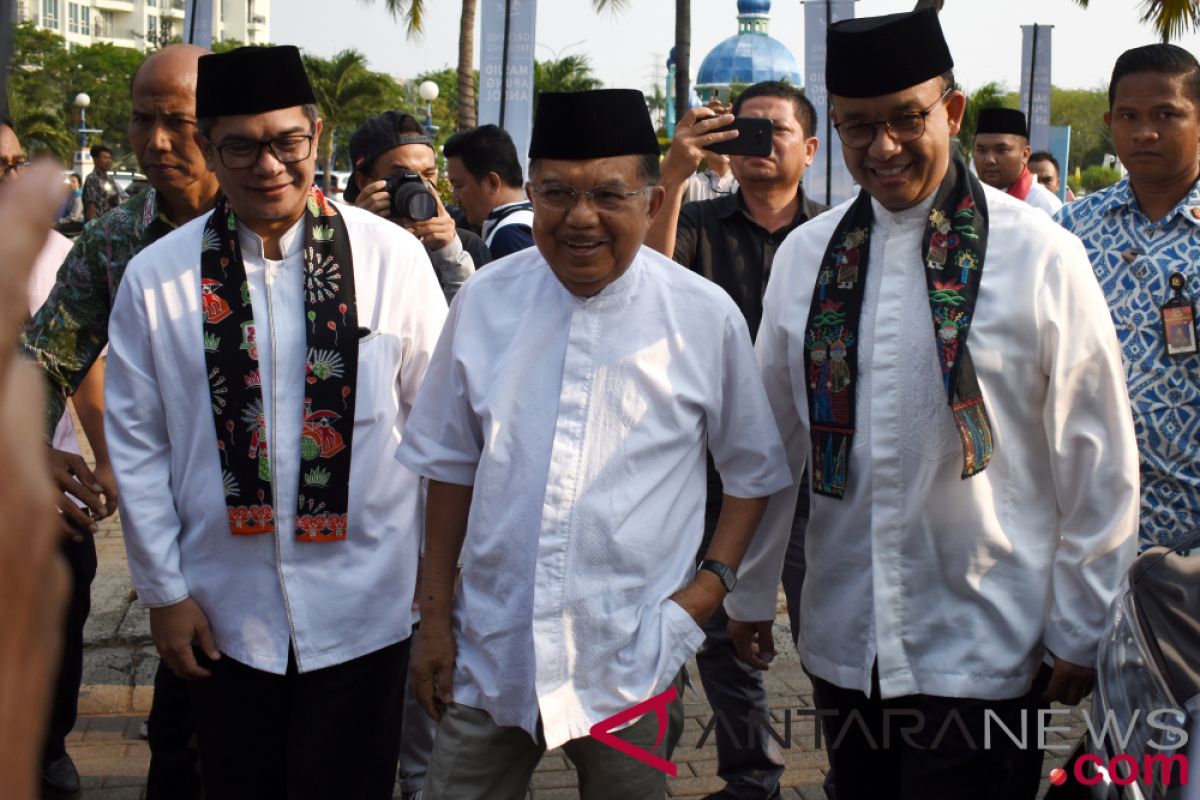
(749, 57)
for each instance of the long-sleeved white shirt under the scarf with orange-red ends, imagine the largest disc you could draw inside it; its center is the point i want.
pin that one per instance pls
(334, 601)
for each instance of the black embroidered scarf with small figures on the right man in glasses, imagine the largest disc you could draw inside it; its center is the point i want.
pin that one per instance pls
(955, 245)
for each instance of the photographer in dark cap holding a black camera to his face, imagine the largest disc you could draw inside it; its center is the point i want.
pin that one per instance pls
(395, 176)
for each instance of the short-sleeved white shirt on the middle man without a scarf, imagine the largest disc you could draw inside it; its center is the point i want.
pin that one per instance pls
(583, 425)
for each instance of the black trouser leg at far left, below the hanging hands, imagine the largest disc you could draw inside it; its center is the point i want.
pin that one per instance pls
(81, 560)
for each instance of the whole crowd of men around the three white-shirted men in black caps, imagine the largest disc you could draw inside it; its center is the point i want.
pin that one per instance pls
(418, 491)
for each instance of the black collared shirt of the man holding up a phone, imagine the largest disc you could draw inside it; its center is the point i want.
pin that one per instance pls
(719, 240)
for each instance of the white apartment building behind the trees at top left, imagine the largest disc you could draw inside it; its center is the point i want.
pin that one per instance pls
(143, 25)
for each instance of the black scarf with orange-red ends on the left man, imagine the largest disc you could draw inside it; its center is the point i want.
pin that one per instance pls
(231, 353)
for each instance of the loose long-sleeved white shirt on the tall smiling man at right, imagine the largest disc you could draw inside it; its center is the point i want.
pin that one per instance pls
(956, 586)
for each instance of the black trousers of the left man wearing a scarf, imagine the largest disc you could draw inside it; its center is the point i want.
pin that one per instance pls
(328, 733)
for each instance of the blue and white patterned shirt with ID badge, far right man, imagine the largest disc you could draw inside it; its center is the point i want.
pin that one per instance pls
(1133, 258)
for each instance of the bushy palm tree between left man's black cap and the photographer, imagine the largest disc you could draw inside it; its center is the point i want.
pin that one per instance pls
(347, 93)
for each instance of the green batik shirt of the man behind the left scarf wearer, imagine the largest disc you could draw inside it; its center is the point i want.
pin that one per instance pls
(71, 329)
